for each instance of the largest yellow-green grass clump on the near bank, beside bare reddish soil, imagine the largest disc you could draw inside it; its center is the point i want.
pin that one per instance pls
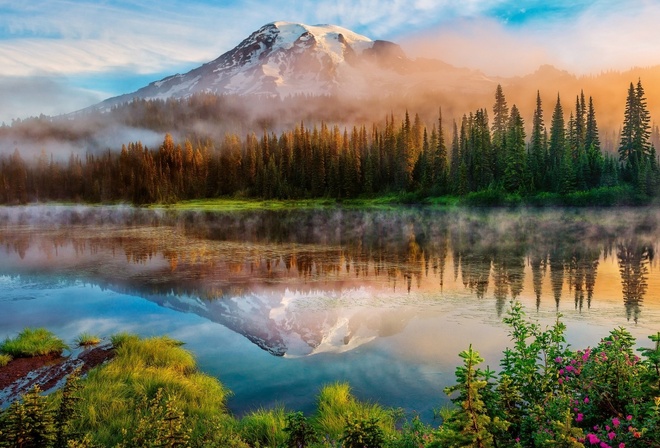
(140, 368)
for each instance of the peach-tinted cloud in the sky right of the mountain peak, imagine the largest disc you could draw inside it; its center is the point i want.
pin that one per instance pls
(590, 39)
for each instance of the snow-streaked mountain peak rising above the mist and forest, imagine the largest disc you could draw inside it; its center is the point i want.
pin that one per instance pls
(284, 58)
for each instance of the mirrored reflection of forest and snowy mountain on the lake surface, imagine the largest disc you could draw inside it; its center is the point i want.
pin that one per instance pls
(293, 281)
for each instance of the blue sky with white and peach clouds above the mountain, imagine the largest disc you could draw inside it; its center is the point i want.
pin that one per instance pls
(58, 56)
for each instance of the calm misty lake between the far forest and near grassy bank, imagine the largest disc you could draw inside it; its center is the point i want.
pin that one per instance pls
(276, 304)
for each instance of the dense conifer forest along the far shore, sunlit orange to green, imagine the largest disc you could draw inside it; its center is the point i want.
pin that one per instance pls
(479, 155)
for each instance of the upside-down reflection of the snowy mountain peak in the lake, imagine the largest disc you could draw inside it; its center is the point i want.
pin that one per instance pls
(295, 323)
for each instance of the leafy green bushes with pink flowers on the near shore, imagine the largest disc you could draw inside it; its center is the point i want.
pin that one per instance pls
(548, 395)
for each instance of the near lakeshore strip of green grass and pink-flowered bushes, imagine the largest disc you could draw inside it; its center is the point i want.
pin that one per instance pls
(545, 394)
